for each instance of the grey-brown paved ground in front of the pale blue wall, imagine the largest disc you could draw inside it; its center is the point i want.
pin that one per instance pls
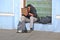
(35, 35)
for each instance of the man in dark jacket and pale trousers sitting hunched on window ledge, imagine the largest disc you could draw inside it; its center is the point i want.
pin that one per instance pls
(31, 17)
